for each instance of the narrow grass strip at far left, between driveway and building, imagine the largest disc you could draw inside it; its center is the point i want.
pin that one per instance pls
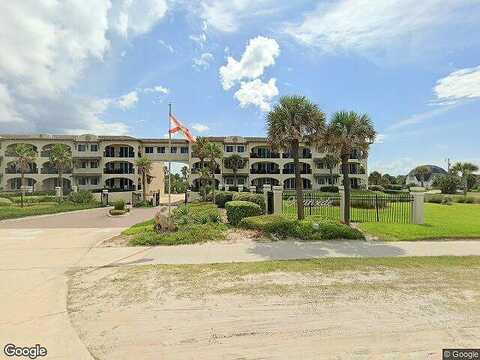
(15, 211)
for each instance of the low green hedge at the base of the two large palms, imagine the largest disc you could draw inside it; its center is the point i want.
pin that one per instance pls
(305, 229)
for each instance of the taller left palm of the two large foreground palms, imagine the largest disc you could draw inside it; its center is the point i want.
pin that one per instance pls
(295, 120)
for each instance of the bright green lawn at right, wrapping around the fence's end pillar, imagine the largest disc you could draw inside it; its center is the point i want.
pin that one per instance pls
(441, 222)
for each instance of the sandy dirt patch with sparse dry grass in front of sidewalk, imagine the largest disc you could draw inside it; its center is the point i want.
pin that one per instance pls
(258, 311)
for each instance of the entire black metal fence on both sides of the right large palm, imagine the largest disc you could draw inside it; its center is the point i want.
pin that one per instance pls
(364, 207)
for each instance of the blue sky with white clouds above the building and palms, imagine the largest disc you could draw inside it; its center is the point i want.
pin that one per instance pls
(113, 66)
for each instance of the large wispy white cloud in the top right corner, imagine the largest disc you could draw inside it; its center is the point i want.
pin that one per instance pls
(364, 25)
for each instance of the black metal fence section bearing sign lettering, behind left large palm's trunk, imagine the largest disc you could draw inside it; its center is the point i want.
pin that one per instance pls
(316, 203)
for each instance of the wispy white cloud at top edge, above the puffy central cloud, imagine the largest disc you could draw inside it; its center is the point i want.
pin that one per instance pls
(226, 16)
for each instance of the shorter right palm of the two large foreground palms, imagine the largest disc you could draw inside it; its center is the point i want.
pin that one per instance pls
(348, 132)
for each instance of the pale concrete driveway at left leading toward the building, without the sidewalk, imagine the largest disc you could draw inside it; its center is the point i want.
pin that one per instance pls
(35, 254)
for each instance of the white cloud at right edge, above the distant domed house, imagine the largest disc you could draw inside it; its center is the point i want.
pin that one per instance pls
(459, 85)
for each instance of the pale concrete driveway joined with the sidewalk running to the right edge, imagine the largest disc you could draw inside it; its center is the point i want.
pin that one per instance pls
(36, 253)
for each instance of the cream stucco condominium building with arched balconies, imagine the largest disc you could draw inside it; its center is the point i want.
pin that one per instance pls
(108, 162)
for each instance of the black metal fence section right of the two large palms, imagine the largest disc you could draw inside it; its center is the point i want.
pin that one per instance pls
(388, 208)
